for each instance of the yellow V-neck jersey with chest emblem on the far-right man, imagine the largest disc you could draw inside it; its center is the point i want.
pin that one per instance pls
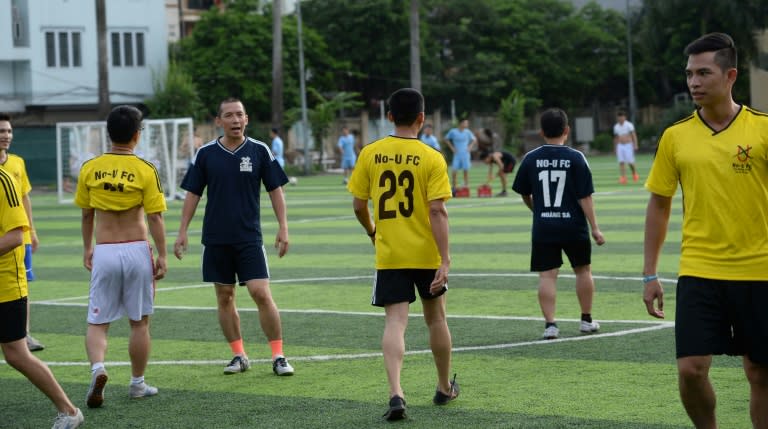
(724, 180)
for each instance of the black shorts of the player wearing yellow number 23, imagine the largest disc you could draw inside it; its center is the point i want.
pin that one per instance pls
(394, 286)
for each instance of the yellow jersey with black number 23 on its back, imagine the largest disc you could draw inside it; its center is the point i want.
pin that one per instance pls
(401, 176)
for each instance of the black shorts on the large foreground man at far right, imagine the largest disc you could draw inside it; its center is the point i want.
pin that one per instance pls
(714, 317)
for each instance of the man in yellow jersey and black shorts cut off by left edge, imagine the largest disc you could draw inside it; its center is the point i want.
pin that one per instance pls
(13, 305)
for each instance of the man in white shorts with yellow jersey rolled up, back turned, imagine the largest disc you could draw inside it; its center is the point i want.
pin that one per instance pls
(116, 190)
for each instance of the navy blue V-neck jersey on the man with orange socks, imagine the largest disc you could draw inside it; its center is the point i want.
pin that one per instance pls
(233, 179)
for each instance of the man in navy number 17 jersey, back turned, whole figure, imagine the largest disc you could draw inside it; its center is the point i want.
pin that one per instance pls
(556, 184)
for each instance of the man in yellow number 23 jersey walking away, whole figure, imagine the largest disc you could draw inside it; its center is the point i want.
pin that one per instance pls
(408, 184)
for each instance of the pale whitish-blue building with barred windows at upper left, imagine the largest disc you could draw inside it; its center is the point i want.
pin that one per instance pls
(49, 52)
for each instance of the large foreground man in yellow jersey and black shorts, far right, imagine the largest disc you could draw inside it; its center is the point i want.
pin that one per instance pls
(719, 156)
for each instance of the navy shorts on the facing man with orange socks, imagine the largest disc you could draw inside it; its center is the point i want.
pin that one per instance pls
(233, 263)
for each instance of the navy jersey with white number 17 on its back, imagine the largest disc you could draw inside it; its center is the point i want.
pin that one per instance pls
(557, 177)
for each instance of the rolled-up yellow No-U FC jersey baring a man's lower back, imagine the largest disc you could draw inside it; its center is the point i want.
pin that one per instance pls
(115, 182)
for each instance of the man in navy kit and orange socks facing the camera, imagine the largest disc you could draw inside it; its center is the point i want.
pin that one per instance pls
(231, 170)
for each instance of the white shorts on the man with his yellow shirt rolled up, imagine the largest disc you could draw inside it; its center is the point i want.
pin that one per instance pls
(122, 282)
